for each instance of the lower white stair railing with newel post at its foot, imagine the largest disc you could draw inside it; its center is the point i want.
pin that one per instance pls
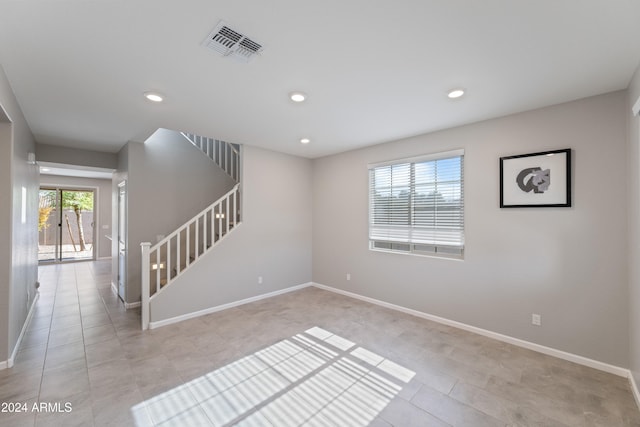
(167, 259)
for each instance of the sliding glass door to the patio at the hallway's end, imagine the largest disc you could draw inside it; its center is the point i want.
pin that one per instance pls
(66, 223)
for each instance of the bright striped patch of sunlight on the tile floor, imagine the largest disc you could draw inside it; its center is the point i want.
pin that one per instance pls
(315, 378)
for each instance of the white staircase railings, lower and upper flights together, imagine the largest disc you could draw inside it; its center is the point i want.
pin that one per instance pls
(165, 261)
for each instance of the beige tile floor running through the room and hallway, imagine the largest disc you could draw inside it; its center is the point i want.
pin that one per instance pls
(305, 358)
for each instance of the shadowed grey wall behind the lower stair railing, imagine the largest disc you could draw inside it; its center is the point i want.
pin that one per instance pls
(168, 182)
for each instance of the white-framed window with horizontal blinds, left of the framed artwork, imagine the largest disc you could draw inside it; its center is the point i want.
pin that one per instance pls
(417, 205)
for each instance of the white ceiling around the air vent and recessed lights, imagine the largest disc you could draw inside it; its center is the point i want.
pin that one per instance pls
(374, 70)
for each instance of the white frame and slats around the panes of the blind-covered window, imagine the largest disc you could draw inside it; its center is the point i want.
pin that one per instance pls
(408, 244)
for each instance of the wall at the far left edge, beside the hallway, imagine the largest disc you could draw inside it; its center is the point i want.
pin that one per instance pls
(18, 221)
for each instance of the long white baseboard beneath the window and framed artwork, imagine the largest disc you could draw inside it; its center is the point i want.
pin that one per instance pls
(616, 370)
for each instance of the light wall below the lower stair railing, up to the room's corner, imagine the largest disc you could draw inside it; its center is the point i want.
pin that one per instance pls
(273, 241)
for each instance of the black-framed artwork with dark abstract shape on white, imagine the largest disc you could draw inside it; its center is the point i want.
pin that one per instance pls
(537, 180)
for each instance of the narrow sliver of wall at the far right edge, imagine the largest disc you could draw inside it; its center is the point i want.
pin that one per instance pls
(634, 228)
